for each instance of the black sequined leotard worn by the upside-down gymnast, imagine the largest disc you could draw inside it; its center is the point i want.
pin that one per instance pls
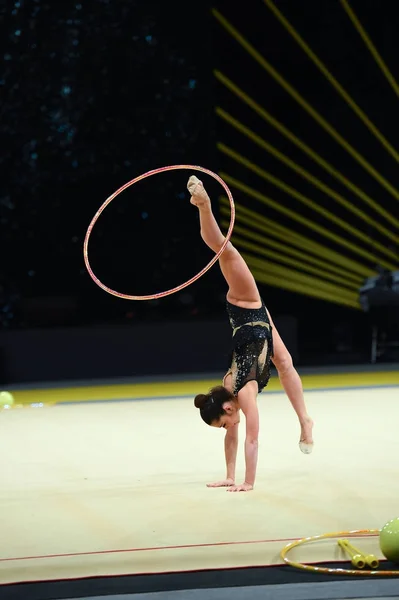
(252, 346)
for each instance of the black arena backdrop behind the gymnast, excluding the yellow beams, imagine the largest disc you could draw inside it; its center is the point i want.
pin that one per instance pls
(95, 93)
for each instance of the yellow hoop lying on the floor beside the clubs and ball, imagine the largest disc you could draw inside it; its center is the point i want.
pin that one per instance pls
(329, 571)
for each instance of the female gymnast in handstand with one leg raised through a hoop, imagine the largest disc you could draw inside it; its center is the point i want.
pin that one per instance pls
(256, 342)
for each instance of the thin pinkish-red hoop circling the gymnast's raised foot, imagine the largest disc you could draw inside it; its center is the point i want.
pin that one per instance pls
(132, 182)
